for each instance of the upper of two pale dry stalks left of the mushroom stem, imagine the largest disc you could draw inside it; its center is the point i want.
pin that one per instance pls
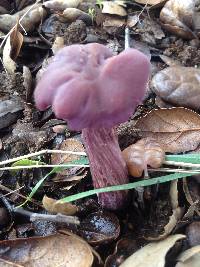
(38, 153)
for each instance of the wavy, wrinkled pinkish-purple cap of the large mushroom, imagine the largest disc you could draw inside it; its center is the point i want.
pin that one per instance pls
(89, 87)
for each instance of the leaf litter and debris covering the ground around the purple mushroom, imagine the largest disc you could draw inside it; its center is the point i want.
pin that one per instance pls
(159, 225)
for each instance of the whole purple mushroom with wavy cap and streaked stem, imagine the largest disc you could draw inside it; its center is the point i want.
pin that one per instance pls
(94, 91)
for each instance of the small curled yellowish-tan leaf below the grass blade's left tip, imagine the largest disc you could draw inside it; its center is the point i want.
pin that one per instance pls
(54, 206)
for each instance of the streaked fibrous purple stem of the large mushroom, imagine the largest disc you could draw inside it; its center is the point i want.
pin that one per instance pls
(107, 165)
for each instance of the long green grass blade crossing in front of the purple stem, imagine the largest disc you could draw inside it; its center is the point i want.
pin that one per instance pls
(141, 183)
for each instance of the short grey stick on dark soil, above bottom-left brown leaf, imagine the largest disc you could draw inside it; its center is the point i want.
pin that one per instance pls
(57, 218)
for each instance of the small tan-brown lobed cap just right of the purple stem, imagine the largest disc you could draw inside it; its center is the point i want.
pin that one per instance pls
(145, 152)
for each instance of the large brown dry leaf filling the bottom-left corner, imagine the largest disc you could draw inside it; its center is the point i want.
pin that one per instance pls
(56, 250)
